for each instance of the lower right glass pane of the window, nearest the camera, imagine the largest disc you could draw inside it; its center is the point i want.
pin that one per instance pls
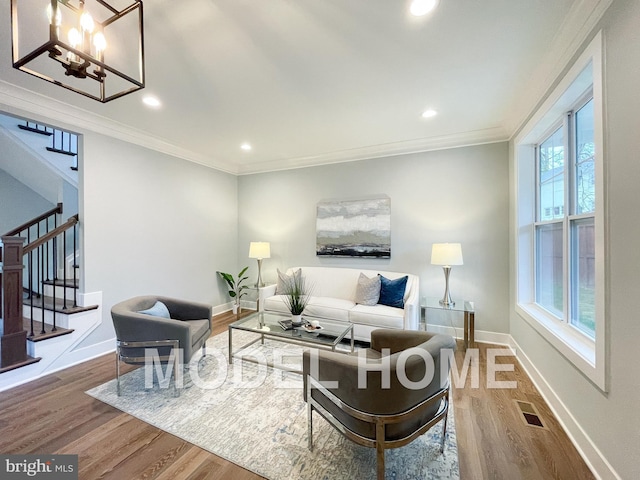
(583, 272)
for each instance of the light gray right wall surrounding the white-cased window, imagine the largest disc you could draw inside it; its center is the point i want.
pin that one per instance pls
(610, 420)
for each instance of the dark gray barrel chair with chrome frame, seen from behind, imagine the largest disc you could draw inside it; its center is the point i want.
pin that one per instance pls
(380, 416)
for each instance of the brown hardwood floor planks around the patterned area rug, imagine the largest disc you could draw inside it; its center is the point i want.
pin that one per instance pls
(54, 415)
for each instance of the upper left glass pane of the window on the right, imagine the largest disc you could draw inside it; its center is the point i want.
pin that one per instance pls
(551, 177)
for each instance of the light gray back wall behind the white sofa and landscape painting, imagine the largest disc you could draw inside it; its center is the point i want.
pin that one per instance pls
(455, 195)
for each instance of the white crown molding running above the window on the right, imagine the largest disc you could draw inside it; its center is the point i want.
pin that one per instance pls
(576, 28)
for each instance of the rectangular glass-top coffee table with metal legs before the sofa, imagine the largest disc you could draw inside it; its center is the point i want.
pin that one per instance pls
(266, 324)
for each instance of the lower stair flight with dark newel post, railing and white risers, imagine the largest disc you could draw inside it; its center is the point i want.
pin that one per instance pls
(39, 283)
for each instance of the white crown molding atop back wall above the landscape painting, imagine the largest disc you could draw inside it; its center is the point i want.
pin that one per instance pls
(476, 137)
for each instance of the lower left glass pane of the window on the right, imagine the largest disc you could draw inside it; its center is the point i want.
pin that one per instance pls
(549, 284)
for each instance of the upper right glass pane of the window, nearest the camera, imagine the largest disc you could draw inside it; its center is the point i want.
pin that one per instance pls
(585, 173)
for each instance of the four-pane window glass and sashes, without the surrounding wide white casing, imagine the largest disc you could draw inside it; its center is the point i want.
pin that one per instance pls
(565, 283)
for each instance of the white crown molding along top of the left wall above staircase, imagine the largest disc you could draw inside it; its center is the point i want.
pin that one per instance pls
(26, 103)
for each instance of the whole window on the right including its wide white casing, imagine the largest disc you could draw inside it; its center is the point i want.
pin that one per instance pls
(560, 217)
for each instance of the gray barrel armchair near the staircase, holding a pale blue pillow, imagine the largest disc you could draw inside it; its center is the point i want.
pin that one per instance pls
(188, 329)
